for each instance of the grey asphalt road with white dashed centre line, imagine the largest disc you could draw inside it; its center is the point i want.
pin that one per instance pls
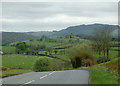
(53, 77)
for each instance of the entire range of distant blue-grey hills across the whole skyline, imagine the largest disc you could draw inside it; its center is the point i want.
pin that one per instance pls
(85, 30)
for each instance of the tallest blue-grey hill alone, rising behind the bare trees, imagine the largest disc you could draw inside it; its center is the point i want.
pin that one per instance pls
(86, 30)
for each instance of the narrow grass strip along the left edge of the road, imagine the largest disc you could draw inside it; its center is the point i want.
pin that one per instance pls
(14, 72)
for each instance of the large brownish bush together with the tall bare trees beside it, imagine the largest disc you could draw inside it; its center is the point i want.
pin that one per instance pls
(101, 44)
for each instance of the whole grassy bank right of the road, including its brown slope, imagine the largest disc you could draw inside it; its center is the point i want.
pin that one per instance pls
(104, 73)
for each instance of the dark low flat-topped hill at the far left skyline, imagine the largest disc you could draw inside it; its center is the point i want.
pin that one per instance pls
(9, 37)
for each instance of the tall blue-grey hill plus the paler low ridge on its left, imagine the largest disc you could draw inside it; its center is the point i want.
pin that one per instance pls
(86, 30)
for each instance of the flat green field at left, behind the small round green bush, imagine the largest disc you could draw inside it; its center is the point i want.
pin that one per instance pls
(23, 61)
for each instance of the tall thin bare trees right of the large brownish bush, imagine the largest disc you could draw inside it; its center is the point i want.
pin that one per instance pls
(102, 42)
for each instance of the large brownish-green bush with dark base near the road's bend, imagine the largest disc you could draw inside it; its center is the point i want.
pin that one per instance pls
(81, 56)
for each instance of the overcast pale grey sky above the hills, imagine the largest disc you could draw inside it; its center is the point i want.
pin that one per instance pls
(49, 16)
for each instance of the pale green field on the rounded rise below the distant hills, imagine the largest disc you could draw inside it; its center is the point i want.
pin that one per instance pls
(54, 42)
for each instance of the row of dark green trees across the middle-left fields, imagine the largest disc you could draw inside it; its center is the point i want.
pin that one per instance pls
(23, 48)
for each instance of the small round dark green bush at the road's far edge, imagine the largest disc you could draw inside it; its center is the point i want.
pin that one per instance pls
(42, 64)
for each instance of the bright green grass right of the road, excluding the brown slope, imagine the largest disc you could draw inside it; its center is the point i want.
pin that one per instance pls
(101, 75)
